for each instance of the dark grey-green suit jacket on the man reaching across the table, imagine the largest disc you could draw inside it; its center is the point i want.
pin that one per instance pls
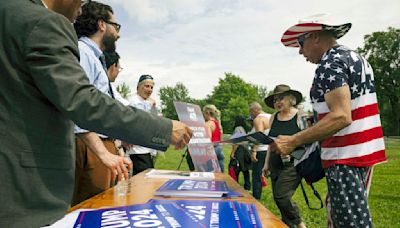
(43, 88)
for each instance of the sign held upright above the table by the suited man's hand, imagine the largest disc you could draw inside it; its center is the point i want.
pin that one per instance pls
(200, 147)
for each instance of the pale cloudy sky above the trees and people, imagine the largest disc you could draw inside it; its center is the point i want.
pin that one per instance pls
(196, 41)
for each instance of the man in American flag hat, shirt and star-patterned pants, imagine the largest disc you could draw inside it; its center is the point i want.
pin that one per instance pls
(349, 128)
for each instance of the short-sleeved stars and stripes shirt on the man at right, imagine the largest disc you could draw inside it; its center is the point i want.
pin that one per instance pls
(361, 143)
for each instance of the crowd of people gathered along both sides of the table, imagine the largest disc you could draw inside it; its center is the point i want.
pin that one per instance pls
(62, 148)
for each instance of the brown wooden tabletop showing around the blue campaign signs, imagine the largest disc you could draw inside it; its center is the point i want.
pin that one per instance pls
(139, 190)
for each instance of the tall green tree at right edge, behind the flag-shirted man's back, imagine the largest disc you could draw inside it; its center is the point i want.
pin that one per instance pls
(382, 49)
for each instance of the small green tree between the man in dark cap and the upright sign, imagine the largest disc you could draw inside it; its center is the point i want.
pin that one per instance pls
(170, 94)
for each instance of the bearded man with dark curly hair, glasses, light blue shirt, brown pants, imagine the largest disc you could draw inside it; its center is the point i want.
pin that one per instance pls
(97, 31)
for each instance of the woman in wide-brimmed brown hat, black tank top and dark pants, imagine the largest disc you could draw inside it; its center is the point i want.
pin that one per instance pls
(284, 177)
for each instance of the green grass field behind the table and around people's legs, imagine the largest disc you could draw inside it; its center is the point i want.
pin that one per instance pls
(384, 199)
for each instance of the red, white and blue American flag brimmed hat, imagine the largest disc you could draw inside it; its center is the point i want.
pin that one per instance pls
(315, 23)
